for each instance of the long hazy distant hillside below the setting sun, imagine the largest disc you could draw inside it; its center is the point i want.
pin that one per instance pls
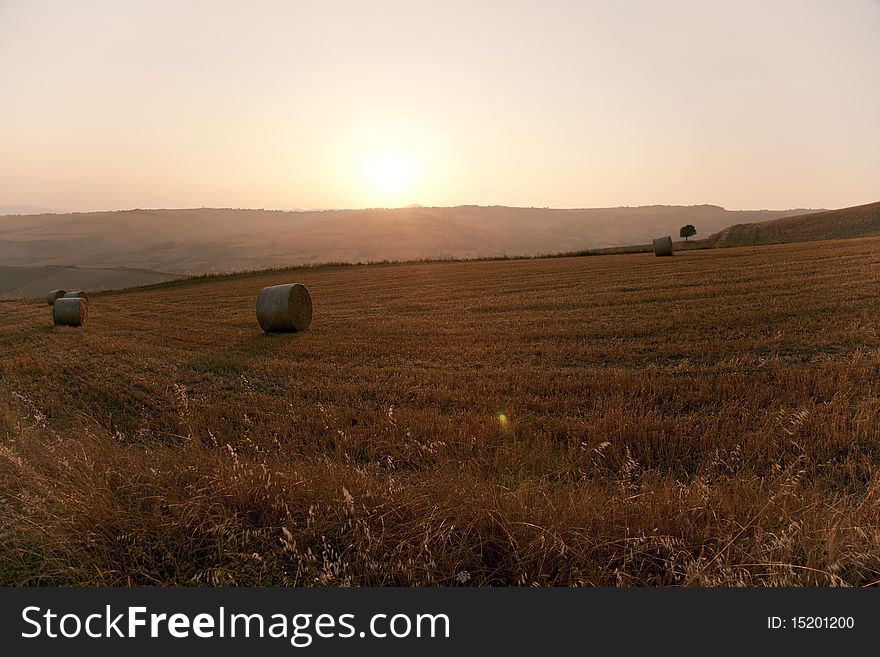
(203, 240)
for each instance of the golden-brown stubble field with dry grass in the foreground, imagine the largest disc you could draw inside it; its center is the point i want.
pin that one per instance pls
(709, 419)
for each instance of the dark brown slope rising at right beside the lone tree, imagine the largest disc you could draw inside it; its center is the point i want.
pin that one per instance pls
(857, 221)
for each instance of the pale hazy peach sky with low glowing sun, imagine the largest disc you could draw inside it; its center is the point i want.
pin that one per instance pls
(109, 104)
